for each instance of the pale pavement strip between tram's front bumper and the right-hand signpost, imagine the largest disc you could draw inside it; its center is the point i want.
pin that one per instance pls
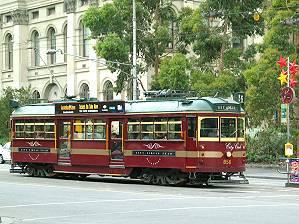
(264, 172)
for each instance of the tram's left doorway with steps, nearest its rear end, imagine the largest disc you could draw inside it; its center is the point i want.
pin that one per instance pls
(64, 142)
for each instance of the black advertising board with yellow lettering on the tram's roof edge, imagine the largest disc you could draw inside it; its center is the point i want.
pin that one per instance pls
(90, 107)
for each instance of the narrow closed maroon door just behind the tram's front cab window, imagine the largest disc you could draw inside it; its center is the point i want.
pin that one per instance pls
(191, 145)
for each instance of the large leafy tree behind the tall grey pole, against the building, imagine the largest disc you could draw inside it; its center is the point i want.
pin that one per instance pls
(111, 25)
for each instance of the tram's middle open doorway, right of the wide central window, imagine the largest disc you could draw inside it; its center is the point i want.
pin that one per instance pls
(116, 140)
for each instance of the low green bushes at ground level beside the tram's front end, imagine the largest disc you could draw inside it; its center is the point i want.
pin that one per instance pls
(267, 145)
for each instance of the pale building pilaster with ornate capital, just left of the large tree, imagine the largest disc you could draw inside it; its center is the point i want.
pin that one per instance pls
(71, 28)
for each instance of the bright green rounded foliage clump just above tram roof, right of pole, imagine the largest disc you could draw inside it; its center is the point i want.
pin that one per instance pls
(173, 74)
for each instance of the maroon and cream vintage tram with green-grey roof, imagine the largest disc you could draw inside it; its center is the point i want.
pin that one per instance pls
(168, 142)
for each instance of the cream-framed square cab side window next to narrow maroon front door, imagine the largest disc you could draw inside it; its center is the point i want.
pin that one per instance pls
(209, 128)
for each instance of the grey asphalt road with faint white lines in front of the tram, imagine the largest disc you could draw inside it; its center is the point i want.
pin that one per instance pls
(26, 199)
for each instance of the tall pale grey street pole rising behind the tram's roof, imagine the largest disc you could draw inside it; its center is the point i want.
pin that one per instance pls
(134, 68)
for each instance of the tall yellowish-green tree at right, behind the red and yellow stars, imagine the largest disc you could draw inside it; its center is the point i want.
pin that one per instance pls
(263, 88)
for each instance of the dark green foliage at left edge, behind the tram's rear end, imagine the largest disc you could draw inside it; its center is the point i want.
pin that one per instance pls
(23, 96)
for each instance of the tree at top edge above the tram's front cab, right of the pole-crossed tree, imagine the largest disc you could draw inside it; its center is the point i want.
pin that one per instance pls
(217, 23)
